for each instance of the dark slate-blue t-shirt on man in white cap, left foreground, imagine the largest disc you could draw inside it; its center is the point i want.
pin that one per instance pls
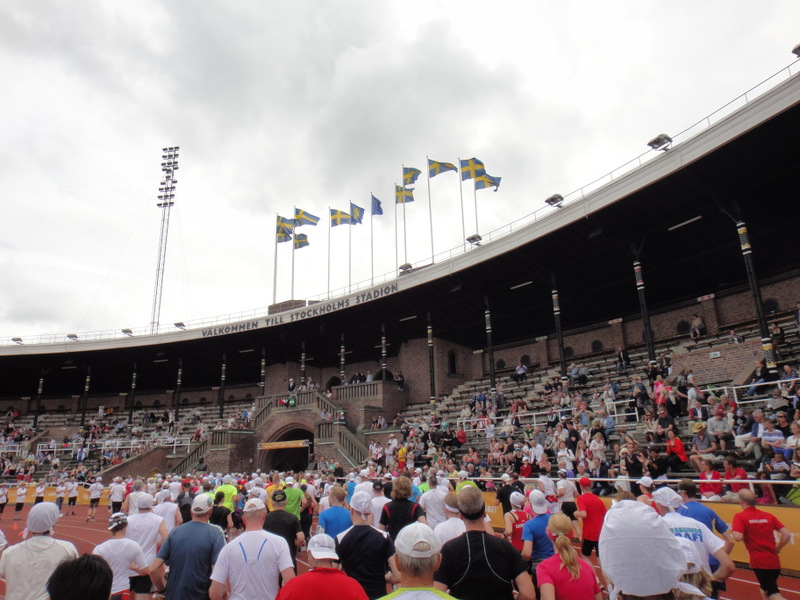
(191, 550)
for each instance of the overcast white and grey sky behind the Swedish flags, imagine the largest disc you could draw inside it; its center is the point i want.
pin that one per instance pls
(314, 105)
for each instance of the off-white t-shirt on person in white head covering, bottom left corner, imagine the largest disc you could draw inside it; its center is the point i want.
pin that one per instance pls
(27, 566)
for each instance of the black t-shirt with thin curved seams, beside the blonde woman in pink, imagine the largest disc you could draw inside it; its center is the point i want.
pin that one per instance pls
(477, 566)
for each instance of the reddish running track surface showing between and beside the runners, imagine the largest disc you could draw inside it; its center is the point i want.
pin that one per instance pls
(741, 586)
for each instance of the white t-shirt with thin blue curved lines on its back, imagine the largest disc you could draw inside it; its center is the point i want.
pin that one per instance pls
(252, 563)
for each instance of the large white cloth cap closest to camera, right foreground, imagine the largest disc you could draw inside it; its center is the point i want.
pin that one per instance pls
(632, 534)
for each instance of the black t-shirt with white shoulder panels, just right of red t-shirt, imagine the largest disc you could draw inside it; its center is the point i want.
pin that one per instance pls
(364, 552)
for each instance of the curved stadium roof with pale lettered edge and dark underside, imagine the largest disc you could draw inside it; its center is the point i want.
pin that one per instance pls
(678, 210)
